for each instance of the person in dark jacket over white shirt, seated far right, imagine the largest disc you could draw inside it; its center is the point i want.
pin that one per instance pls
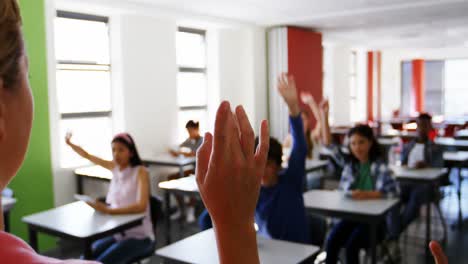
(419, 153)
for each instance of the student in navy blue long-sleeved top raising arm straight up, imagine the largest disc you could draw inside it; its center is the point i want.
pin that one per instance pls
(280, 212)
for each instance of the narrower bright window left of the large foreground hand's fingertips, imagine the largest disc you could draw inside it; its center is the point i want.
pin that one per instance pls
(192, 94)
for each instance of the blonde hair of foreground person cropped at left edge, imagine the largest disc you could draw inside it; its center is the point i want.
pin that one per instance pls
(11, 42)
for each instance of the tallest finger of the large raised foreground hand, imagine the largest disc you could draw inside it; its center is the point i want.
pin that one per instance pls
(221, 133)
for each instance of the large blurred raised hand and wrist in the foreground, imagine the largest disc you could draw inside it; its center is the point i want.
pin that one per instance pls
(228, 176)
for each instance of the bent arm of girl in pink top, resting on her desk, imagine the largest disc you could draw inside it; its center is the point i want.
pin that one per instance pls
(139, 206)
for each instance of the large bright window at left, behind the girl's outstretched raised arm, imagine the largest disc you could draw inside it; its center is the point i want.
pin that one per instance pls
(83, 79)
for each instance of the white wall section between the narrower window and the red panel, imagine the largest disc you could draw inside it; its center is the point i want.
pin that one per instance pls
(242, 70)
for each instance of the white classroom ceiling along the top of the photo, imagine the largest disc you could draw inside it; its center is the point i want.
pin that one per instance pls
(380, 23)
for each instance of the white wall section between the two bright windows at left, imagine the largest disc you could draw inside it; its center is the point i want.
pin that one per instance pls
(149, 81)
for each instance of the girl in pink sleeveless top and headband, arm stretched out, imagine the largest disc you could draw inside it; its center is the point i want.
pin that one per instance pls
(129, 193)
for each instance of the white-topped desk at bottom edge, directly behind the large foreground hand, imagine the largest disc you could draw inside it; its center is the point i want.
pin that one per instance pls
(201, 248)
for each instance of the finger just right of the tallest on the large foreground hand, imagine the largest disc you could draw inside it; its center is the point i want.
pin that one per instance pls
(247, 134)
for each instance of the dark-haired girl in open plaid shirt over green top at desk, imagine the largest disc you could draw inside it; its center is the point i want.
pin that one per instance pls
(365, 176)
